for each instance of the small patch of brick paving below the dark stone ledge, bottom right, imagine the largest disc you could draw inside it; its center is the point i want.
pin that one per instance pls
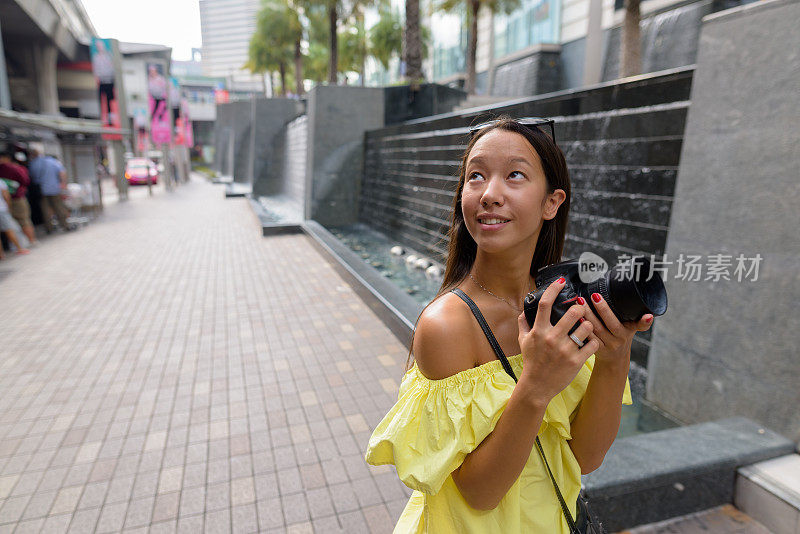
(724, 519)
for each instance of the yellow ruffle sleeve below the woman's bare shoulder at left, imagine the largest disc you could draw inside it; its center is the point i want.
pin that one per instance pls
(435, 423)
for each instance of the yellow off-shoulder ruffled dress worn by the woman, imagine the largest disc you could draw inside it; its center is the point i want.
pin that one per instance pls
(436, 423)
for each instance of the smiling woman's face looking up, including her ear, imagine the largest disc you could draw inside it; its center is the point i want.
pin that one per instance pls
(504, 200)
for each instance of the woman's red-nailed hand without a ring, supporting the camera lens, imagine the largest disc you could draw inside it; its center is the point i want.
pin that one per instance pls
(615, 337)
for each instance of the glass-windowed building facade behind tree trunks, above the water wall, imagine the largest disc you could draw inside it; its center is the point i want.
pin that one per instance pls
(542, 45)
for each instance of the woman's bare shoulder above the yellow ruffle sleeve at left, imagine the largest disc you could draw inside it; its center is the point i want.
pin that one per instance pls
(445, 339)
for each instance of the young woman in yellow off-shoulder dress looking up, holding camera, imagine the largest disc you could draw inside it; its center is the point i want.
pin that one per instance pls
(462, 432)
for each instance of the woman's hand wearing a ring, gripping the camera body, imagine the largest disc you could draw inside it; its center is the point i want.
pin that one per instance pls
(551, 359)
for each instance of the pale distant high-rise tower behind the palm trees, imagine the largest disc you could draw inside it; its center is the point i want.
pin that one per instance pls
(227, 26)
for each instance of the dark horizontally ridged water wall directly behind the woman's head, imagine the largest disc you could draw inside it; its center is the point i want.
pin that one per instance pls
(622, 142)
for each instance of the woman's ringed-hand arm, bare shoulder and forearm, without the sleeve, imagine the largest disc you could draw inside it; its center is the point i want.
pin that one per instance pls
(551, 360)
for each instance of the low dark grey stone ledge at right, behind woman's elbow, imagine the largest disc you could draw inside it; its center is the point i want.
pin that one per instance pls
(664, 474)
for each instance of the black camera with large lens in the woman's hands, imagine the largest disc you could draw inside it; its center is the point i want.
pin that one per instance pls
(626, 288)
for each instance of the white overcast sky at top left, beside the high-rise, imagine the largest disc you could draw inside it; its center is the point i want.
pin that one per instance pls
(174, 23)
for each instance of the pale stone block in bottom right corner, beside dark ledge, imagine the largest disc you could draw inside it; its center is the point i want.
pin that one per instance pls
(769, 491)
